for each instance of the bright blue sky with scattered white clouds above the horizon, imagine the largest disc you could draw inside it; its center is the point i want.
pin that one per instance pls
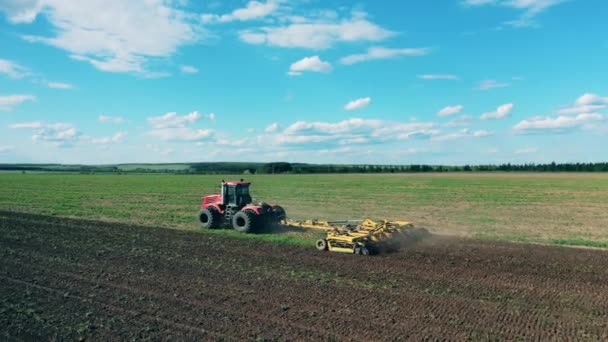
(389, 82)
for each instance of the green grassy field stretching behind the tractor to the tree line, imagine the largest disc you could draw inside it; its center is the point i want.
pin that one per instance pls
(569, 209)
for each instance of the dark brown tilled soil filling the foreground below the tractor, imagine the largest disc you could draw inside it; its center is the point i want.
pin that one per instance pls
(70, 279)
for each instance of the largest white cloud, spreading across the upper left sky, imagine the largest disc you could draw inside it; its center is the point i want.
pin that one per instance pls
(120, 37)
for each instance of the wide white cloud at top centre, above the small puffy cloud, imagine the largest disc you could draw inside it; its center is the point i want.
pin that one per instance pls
(319, 34)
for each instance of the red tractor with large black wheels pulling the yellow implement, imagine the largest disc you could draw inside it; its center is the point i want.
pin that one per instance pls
(233, 208)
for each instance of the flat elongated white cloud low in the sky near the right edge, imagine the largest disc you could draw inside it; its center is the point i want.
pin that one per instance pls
(559, 124)
